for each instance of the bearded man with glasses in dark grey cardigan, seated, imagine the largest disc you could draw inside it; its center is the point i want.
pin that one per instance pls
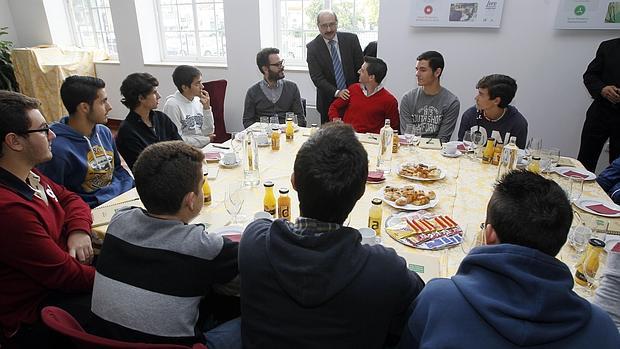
(273, 95)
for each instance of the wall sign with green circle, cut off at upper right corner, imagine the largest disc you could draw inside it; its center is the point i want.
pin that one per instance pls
(588, 14)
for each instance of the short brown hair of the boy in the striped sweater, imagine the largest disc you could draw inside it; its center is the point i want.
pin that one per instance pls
(164, 173)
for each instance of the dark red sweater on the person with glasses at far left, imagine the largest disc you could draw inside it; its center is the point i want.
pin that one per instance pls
(33, 248)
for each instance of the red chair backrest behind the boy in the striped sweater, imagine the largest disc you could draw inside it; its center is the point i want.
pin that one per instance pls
(63, 323)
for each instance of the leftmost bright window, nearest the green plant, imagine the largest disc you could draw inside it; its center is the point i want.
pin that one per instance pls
(91, 25)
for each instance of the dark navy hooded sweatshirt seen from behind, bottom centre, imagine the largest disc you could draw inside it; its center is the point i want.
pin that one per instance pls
(320, 291)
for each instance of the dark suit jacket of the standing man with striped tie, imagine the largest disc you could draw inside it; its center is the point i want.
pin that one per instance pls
(322, 70)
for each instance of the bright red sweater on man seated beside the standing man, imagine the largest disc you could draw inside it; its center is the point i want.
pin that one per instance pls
(366, 114)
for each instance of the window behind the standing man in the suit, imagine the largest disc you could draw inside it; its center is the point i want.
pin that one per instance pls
(297, 23)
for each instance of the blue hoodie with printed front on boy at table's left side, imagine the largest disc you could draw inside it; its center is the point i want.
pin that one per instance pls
(88, 166)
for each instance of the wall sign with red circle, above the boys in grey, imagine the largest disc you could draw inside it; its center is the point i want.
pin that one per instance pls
(455, 13)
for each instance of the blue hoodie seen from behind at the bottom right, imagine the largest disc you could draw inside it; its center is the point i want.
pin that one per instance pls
(507, 296)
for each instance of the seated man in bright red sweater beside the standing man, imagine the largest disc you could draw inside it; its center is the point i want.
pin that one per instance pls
(369, 103)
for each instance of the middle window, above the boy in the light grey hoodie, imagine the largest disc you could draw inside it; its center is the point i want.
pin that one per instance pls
(192, 30)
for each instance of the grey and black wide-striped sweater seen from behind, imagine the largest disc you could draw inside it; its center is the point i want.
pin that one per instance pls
(152, 275)
